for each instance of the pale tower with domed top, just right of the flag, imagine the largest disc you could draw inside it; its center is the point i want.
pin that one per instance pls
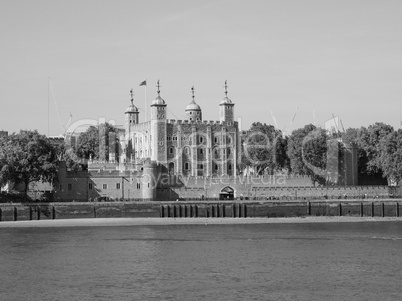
(158, 129)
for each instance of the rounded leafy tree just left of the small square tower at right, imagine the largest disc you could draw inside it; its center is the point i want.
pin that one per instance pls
(307, 148)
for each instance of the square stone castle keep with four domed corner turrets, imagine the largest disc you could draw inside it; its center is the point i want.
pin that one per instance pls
(190, 147)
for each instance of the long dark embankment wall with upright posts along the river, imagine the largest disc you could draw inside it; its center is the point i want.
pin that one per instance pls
(205, 209)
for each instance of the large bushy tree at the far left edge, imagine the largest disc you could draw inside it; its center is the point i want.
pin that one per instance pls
(27, 157)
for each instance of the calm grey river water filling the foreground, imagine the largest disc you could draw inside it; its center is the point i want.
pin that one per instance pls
(311, 261)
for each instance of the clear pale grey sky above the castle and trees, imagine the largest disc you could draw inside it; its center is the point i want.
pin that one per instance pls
(301, 60)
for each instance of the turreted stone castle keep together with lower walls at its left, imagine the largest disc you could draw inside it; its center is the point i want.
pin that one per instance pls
(148, 153)
